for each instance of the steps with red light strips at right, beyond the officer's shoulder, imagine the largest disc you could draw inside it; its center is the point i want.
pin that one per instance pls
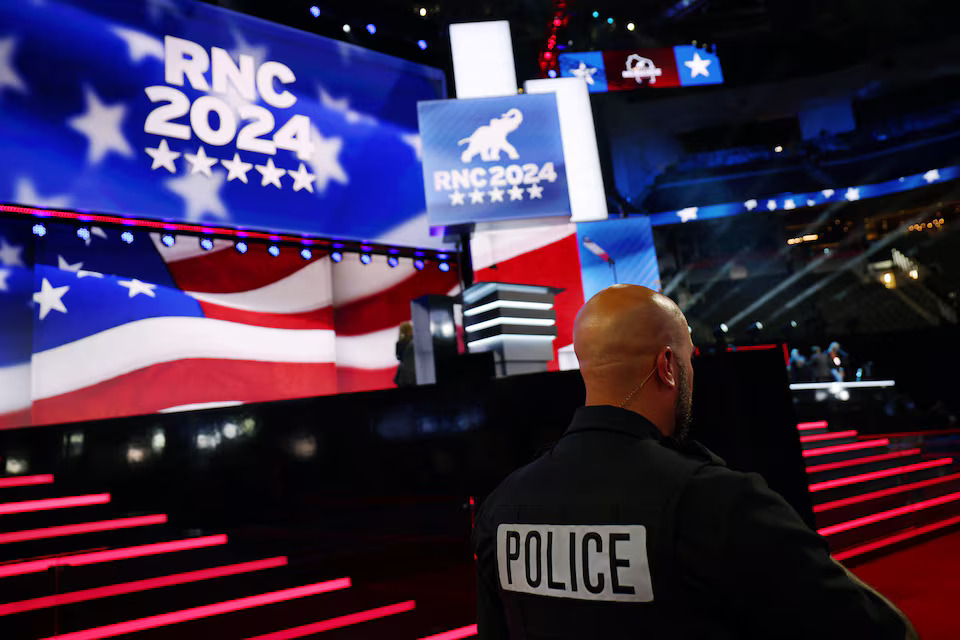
(869, 497)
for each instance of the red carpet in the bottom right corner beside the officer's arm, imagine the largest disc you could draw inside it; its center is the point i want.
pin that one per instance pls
(924, 581)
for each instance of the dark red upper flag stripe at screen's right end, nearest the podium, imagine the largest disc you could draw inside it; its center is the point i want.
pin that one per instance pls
(390, 307)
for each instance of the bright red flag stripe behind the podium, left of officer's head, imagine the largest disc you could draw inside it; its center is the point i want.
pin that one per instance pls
(555, 265)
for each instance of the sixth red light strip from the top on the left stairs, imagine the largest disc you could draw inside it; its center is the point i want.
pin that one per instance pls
(174, 617)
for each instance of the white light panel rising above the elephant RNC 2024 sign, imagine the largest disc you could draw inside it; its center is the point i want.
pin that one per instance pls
(483, 59)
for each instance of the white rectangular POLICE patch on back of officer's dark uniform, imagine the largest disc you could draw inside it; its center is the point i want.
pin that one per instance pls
(585, 562)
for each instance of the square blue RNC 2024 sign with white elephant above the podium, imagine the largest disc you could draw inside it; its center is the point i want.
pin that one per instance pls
(491, 159)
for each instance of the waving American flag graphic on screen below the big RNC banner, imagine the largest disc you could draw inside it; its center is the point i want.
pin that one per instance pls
(96, 328)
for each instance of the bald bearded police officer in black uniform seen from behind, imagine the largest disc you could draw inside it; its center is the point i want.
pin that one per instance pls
(625, 529)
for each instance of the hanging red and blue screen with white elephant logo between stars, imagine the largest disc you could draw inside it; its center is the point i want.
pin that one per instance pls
(680, 66)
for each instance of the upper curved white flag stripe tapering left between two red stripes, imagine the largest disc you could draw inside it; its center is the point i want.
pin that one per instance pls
(306, 290)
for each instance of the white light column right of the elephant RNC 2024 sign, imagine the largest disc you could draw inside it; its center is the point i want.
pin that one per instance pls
(581, 157)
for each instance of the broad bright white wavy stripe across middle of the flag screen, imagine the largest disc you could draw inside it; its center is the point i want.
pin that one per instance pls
(143, 343)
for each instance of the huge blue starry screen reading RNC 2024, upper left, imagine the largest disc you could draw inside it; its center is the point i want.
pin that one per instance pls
(182, 111)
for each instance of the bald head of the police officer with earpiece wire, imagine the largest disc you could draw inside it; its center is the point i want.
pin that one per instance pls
(626, 332)
